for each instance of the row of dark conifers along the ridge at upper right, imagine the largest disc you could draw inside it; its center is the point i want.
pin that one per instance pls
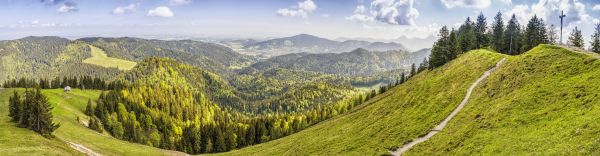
(511, 38)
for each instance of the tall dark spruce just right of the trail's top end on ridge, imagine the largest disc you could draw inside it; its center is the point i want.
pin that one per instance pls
(512, 36)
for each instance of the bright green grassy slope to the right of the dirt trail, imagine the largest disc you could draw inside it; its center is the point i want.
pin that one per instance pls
(544, 102)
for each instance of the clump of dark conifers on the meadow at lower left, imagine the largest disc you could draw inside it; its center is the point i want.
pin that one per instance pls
(32, 111)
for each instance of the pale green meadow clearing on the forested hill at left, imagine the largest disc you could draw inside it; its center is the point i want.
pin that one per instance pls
(100, 58)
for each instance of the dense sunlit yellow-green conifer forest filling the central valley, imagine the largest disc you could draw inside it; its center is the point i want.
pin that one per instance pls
(165, 105)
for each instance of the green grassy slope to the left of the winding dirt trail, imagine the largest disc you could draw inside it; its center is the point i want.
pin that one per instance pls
(392, 119)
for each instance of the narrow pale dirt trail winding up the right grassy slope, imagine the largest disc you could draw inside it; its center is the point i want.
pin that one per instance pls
(443, 124)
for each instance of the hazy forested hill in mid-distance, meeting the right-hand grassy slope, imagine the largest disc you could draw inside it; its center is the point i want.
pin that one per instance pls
(359, 62)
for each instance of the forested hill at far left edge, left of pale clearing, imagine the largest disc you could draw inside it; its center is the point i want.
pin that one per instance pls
(47, 57)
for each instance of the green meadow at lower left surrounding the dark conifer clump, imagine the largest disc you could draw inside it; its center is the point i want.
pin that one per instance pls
(67, 107)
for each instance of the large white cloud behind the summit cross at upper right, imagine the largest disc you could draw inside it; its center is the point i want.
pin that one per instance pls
(549, 10)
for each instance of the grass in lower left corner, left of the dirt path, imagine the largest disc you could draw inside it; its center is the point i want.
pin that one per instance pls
(21, 141)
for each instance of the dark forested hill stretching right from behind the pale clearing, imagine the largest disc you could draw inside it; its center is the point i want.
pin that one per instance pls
(209, 56)
